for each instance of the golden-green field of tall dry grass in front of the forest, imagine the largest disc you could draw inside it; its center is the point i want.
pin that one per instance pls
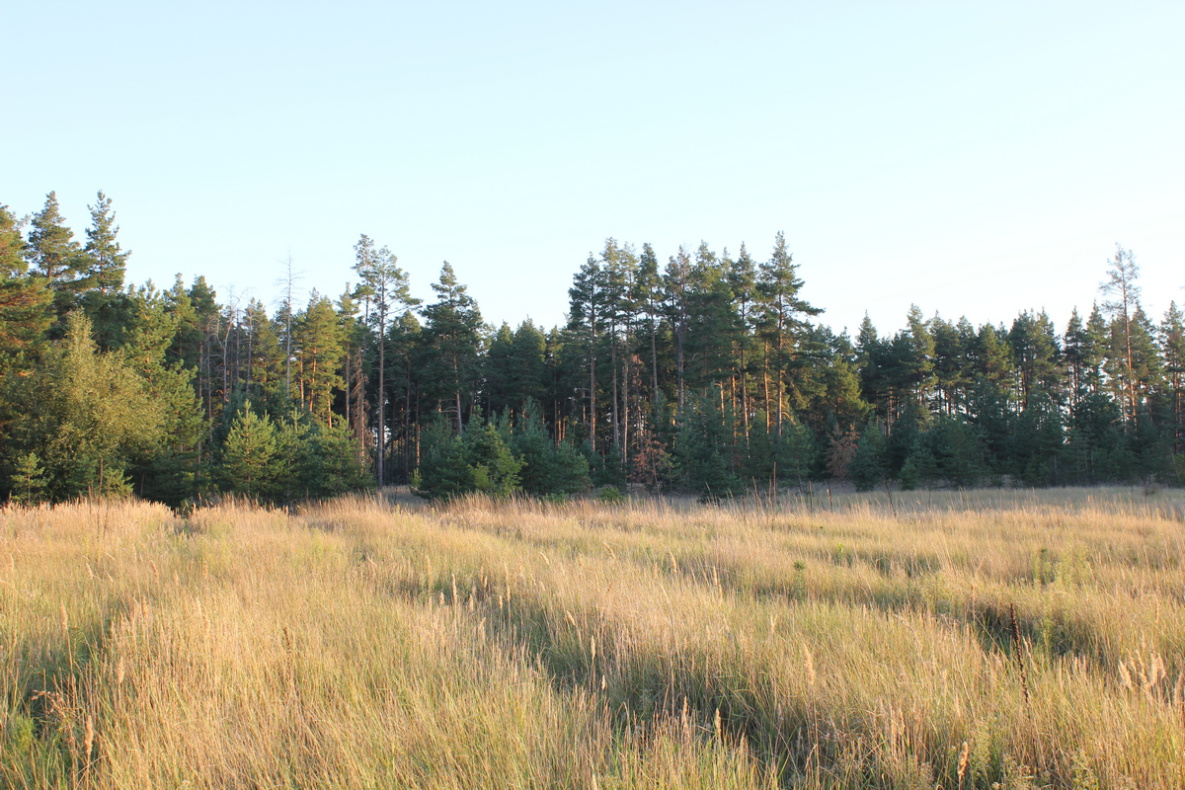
(959, 640)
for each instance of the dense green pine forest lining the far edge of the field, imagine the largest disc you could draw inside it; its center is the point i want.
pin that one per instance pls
(708, 374)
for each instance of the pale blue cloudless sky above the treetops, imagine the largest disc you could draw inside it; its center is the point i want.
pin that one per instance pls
(975, 158)
